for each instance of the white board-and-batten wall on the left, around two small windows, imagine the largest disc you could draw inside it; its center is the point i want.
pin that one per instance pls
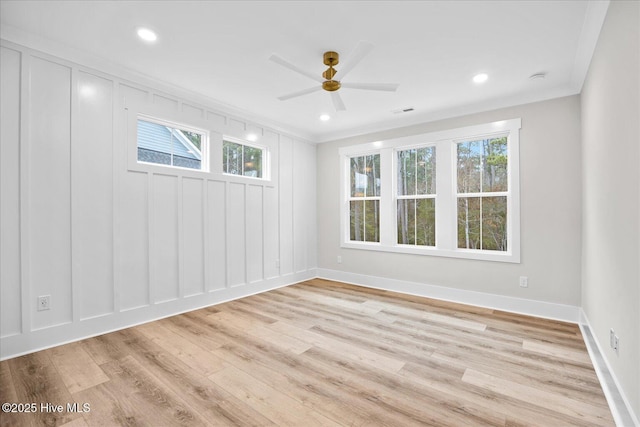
(115, 244)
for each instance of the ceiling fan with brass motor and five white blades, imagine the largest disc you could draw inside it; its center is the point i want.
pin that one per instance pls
(327, 81)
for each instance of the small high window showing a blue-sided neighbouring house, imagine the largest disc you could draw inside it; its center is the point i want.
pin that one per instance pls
(167, 144)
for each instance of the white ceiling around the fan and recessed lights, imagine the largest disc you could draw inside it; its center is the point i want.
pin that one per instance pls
(432, 49)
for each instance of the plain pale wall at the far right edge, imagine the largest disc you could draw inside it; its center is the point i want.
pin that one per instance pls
(610, 103)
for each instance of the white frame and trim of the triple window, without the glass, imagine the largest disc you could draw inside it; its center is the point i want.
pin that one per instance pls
(446, 191)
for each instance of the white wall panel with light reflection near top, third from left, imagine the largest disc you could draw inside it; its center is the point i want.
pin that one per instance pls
(92, 196)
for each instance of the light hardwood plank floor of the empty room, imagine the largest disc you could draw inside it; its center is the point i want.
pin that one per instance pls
(318, 353)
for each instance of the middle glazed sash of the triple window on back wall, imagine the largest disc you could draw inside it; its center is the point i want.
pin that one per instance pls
(416, 203)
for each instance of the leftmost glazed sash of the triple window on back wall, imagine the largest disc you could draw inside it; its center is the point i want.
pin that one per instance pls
(364, 199)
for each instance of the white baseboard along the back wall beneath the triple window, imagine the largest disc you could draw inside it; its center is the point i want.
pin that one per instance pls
(566, 313)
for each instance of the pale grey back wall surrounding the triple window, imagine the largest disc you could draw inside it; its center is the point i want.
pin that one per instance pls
(550, 175)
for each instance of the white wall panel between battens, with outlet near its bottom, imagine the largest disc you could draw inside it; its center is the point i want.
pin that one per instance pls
(49, 190)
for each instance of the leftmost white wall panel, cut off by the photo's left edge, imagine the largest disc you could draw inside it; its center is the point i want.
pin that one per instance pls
(10, 274)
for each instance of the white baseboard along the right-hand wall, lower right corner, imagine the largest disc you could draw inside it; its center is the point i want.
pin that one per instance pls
(620, 407)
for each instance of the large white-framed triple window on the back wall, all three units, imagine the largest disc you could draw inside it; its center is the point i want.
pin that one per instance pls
(453, 193)
